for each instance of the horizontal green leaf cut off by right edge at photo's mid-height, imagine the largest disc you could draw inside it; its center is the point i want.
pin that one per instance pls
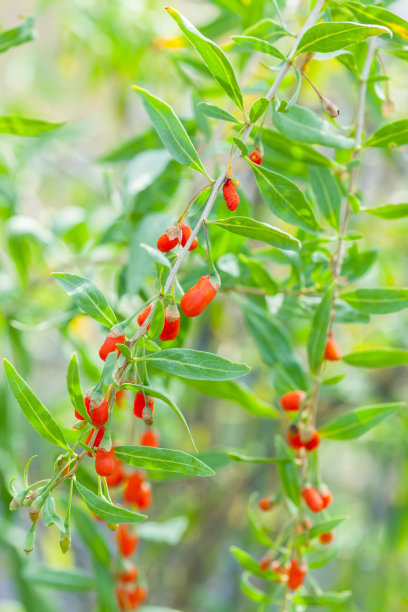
(377, 301)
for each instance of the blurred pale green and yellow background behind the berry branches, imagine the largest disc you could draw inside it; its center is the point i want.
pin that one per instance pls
(81, 200)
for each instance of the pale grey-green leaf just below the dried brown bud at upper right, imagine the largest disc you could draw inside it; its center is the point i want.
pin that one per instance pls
(304, 125)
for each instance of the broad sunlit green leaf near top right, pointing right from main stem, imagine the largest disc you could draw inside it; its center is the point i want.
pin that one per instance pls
(327, 37)
